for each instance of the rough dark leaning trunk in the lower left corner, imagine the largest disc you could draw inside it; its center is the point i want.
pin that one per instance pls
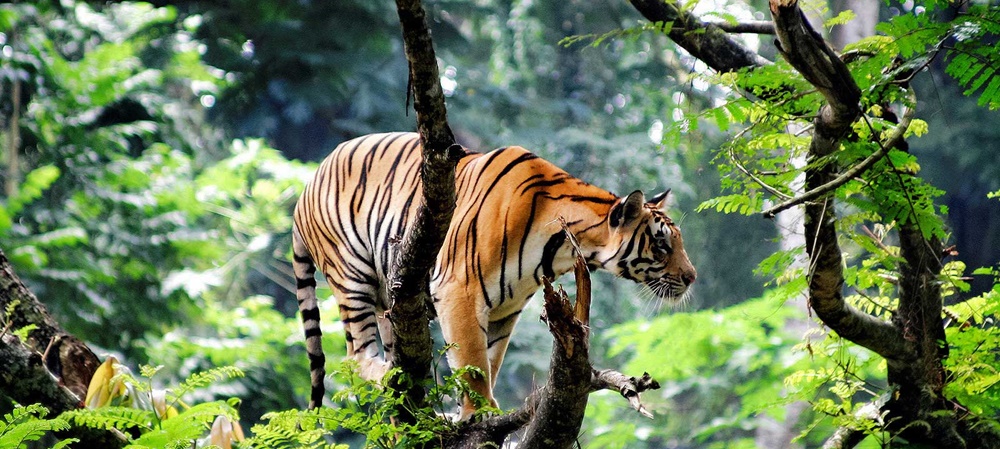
(50, 367)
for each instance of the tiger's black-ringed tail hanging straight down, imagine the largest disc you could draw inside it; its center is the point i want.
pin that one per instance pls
(305, 292)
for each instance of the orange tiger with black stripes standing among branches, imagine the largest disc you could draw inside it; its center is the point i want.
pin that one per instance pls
(506, 235)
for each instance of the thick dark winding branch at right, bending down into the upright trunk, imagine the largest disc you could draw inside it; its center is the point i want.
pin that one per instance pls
(810, 55)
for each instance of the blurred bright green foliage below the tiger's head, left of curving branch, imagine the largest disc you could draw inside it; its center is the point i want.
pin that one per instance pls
(719, 370)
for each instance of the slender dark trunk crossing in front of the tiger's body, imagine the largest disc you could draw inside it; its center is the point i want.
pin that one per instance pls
(411, 306)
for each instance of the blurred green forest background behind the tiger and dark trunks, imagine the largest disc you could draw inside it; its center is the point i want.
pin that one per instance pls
(153, 153)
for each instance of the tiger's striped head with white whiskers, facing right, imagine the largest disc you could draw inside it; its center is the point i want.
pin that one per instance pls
(645, 245)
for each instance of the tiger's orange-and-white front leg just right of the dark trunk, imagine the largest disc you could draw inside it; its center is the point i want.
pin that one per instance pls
(466, 330)
